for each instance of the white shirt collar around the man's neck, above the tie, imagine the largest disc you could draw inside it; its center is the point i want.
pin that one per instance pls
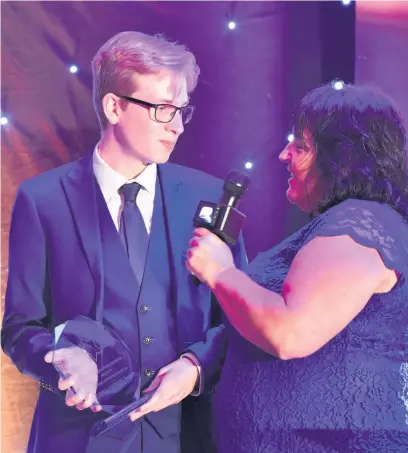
(110, 180)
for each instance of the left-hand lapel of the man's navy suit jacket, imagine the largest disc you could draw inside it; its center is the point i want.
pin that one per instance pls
(79, 186)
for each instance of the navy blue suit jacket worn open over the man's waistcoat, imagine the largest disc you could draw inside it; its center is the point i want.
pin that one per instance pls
(56, 273)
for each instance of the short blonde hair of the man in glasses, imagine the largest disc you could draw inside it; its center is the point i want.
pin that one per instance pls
(132, 52)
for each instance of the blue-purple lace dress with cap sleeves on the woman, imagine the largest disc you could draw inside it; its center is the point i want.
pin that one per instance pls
(351, 396)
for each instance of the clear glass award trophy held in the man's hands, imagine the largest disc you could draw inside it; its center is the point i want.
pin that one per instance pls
(101, 362)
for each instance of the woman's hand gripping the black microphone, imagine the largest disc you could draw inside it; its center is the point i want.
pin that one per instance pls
(208, 256)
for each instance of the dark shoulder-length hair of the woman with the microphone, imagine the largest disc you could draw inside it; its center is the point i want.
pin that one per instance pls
(360, 145)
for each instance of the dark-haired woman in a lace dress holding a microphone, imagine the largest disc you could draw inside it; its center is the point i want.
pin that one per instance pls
(317, 358)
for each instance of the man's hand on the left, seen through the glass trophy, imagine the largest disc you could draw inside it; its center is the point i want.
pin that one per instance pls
(80, 373)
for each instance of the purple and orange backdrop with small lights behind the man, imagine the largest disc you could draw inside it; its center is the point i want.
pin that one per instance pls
(251, 78)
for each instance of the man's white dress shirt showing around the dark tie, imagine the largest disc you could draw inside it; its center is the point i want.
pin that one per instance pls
(110, 181)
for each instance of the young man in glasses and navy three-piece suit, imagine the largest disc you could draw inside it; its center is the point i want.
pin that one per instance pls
(73, 252)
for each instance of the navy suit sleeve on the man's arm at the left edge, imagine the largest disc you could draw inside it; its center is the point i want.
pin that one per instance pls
(25, 335)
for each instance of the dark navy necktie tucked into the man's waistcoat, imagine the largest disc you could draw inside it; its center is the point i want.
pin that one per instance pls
(132, 230)
